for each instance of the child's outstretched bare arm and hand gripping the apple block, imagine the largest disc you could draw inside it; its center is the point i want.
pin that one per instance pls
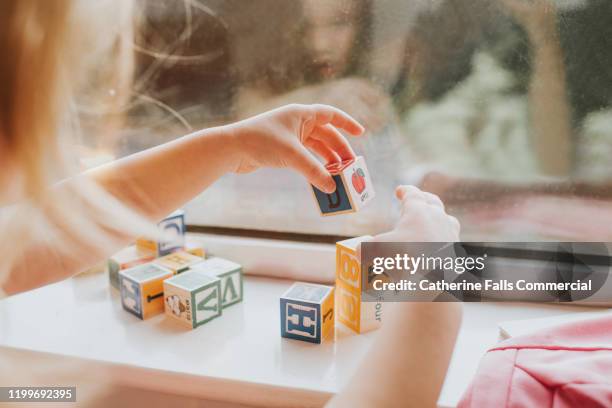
(158, 180)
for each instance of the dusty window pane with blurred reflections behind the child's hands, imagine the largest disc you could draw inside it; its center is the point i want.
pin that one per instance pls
(502, 107)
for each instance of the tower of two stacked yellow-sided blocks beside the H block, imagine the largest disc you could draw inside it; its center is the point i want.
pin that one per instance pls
(354, 313)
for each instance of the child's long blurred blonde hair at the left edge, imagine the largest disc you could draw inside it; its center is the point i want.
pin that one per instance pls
(62, 58)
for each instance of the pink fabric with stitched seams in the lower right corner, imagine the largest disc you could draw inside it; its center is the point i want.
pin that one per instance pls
(565, 366)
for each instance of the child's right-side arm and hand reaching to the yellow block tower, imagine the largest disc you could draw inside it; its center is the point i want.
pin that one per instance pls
(407, 363)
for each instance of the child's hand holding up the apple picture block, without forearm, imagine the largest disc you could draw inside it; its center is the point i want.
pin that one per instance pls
(282, 137)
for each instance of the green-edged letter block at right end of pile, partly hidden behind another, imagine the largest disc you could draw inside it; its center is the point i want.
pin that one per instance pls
(230, 274)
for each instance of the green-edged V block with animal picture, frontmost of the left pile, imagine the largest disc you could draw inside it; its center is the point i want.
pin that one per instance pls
(193, 298)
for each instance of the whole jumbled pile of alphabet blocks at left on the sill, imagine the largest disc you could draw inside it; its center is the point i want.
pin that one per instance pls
(173, 275)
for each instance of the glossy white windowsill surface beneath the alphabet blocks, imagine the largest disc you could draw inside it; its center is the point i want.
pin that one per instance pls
(239, 357)
